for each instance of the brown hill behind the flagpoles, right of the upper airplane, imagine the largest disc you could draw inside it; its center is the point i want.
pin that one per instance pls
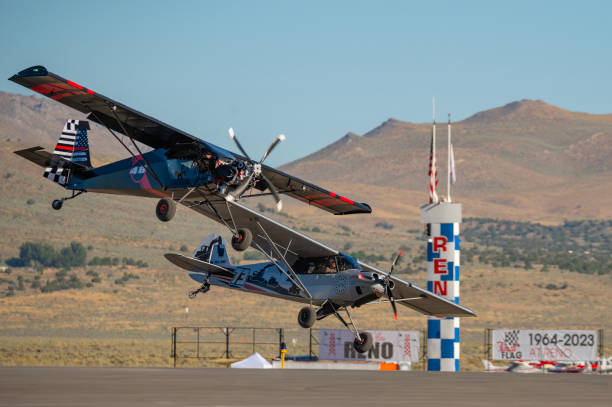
(526, 157)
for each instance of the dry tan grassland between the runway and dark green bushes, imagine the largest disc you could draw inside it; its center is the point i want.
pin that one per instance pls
(129, 323)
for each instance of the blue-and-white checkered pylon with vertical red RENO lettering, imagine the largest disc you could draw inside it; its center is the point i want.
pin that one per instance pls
(443, 253)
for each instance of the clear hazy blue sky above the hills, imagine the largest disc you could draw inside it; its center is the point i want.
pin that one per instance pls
(314, 70)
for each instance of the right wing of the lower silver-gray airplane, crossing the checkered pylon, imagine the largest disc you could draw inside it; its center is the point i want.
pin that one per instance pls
(422, 300)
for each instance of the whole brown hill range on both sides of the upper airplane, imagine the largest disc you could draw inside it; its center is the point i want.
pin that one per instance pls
(524, 160)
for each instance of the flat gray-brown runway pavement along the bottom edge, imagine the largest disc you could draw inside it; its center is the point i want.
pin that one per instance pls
(116, 387)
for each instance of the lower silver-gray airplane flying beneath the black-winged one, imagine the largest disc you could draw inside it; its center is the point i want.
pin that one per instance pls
(304, 270)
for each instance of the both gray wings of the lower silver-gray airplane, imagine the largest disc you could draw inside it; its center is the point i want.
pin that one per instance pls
(293, 244)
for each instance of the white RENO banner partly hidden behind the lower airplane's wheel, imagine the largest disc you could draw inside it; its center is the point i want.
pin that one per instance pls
(389, 346)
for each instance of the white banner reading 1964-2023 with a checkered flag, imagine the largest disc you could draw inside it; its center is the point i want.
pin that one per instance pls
(532, 344)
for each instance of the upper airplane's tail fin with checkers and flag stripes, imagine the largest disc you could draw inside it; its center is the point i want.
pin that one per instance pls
(72, 149)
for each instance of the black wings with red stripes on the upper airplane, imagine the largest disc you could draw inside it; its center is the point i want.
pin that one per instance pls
(156, 134)
